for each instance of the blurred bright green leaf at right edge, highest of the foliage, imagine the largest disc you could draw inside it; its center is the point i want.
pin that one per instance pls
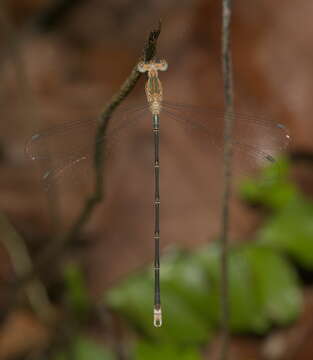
(289, 229)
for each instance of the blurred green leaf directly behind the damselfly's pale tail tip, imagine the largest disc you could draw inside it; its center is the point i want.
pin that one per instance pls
(181, 322)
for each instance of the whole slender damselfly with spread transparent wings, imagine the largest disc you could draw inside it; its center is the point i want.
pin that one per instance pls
(256, 141)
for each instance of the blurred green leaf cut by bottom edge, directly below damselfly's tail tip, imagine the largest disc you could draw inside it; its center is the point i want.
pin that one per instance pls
(144, 351)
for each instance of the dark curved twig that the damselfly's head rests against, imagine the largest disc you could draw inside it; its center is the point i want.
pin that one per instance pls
(56, 247)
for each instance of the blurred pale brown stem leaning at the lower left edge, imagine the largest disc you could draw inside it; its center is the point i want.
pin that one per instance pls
(22, 264)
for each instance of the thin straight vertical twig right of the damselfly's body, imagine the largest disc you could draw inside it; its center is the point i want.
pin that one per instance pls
(228, 126)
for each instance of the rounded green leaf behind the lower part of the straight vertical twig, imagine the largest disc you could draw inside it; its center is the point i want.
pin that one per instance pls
(263, 288)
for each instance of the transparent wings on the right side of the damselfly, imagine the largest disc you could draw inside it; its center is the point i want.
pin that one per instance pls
(256, 140)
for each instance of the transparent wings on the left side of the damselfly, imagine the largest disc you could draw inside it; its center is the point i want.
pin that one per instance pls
(62, 148)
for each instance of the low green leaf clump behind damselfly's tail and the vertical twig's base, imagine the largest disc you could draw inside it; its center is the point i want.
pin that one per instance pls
(263, 289)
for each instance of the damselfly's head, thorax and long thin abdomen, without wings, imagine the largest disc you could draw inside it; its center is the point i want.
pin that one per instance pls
(154, 93)
